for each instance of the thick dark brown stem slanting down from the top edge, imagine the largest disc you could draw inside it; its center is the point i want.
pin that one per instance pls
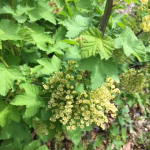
(105, 18)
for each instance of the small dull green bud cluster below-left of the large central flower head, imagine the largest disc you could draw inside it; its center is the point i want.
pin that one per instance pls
(40, 128)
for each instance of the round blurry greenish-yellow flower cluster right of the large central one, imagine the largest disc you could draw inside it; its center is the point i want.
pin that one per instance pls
(133, 81)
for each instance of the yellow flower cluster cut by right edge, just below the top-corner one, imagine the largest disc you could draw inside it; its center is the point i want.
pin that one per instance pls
(145, 25)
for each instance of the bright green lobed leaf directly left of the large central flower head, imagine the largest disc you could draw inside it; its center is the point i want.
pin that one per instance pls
(31, 99)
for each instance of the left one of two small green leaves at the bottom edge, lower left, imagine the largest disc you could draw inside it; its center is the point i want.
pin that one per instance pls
(34, 145)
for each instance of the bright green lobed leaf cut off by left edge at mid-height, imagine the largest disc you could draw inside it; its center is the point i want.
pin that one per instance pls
(7, 78)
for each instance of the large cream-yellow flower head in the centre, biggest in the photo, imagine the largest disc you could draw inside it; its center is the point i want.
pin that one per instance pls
(79, 108)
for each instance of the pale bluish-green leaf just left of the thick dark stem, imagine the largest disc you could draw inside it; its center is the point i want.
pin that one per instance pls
(75, 25)
